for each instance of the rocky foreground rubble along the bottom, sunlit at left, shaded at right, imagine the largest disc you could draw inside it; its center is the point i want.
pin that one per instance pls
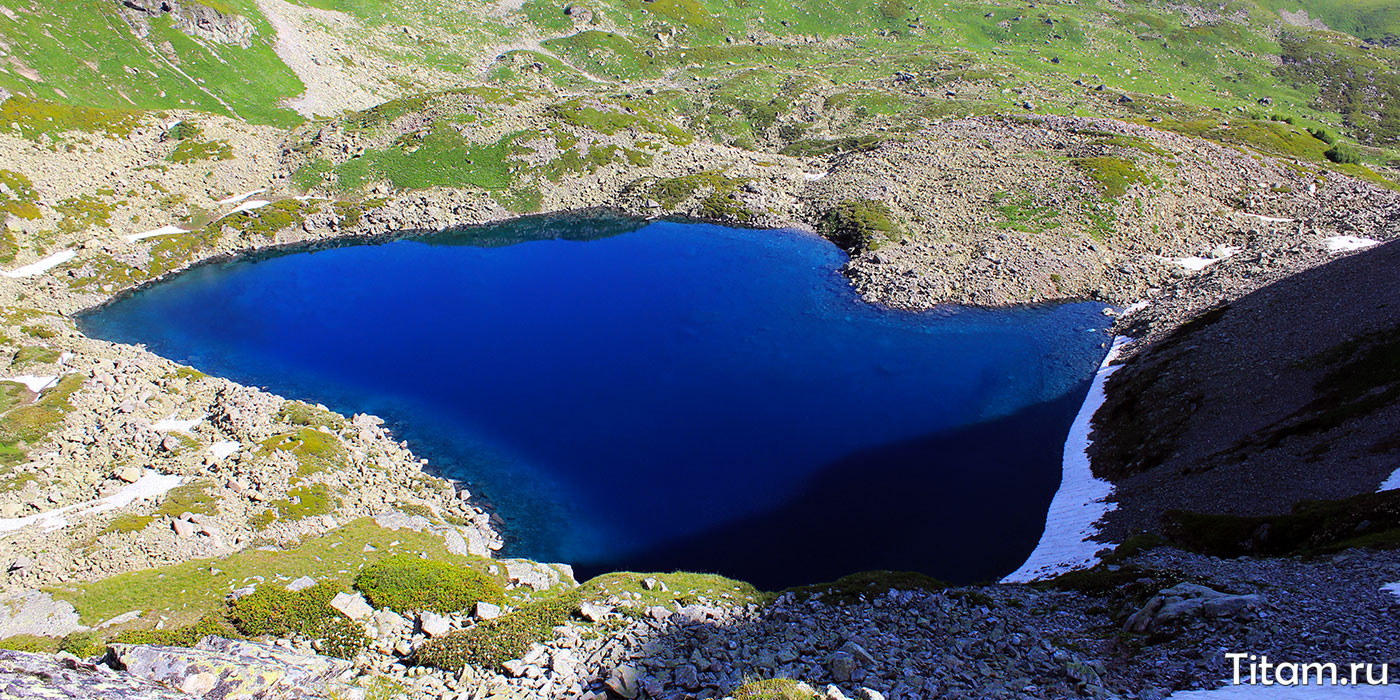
(1137, 629)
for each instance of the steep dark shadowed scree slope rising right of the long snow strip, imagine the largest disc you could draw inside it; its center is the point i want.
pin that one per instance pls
(1287, 394)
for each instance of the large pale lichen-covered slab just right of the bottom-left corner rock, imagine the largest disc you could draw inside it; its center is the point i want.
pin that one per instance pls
(232, 670)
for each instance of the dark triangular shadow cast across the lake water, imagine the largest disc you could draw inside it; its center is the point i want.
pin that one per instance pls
(964, 506)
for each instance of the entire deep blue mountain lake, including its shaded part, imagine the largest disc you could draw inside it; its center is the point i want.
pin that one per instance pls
(664, 395)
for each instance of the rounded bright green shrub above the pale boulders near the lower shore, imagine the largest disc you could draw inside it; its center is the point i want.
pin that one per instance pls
(408, 584)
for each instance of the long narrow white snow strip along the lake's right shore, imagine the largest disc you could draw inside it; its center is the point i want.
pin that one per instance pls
(1081, 500)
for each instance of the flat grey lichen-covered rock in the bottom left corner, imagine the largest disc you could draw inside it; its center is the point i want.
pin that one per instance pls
(43, 677)
